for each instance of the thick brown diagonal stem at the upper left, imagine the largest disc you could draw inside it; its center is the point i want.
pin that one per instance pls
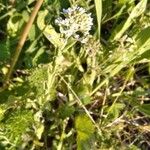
(22, 40)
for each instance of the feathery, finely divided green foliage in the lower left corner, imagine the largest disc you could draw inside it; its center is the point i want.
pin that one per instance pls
(15, 125)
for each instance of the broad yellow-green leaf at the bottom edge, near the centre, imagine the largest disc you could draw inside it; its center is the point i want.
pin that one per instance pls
(85, 130)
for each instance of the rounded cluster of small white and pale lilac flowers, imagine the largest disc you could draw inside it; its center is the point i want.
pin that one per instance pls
(77, 23)
